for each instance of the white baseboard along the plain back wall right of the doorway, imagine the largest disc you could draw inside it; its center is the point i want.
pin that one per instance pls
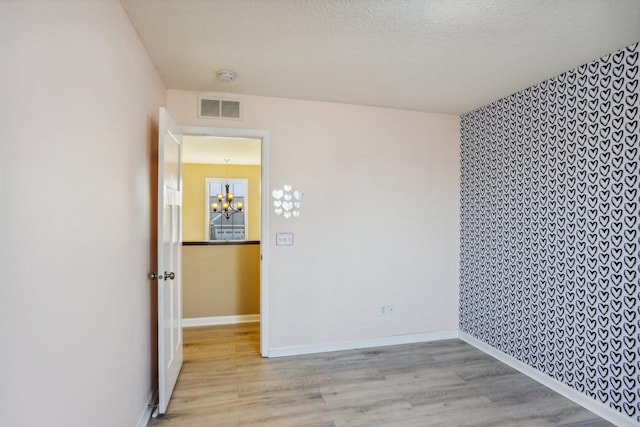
(367, 343)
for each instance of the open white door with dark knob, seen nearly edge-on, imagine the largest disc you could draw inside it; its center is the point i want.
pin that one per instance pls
(169, 257)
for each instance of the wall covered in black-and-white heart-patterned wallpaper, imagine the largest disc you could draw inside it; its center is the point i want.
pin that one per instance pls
(550, 228)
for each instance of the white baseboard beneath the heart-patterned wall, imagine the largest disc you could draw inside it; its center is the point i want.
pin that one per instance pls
(583, 400)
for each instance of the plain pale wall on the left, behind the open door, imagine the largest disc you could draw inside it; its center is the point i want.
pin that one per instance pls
(78, 103)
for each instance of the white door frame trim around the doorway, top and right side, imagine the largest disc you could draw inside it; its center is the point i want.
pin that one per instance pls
(264, 214)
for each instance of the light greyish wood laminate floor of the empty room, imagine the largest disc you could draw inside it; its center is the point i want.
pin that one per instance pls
(224, 382)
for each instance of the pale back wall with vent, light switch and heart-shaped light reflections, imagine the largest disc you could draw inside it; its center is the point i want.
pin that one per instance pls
(363, 171)
